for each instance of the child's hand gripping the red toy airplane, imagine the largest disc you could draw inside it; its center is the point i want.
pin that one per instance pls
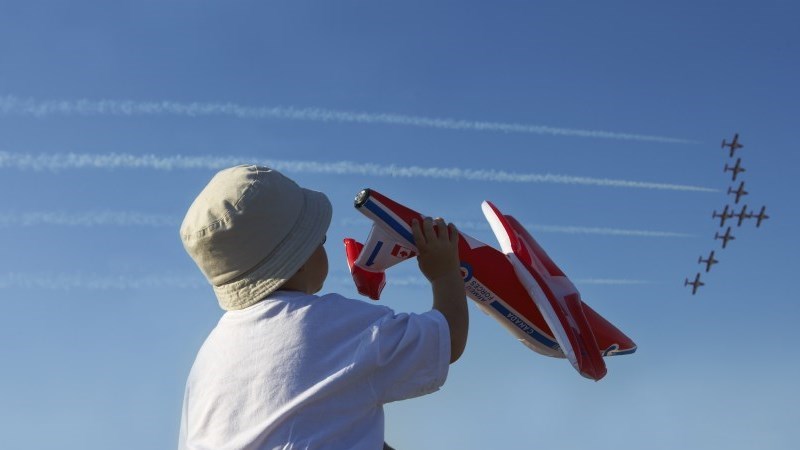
(438, 248)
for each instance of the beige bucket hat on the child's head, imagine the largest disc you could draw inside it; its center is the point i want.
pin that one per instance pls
(250, 230)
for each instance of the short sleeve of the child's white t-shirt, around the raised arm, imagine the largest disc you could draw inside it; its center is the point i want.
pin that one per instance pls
(412, 354)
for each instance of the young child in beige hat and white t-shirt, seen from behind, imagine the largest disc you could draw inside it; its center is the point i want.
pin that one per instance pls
(285, 368)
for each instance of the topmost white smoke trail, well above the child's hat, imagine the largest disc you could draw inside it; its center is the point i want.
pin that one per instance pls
(12, 105)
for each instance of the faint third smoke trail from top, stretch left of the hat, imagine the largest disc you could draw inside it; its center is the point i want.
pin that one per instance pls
(86, 219)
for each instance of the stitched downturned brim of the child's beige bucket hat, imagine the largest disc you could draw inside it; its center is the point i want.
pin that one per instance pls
(284, 261)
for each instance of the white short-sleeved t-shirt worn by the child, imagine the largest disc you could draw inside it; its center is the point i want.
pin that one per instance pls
(298, 371)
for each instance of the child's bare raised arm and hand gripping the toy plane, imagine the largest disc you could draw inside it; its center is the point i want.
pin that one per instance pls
(438, 261)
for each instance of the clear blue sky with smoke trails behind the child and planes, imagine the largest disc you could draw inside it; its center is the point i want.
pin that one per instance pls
(103, 311)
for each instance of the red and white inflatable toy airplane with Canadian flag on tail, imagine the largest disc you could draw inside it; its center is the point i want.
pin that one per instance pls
(521, 287)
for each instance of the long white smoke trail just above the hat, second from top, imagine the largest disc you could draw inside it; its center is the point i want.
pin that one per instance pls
(65, 161)
